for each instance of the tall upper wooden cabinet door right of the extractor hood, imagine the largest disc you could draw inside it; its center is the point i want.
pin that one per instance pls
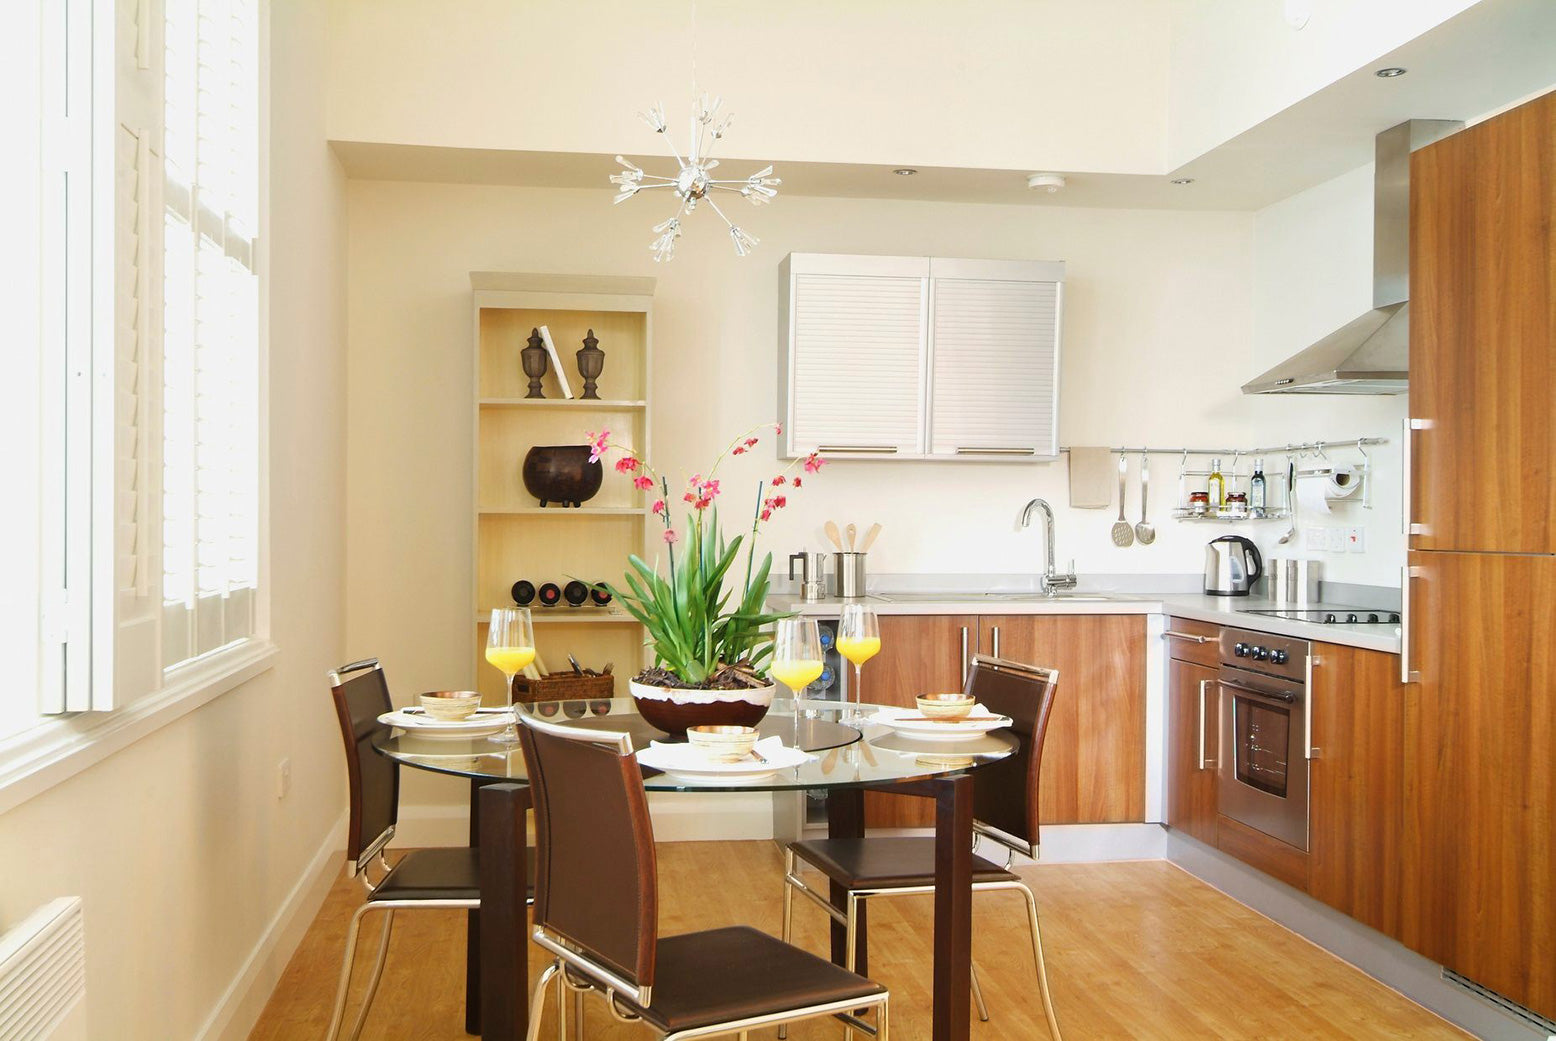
(1484, 335)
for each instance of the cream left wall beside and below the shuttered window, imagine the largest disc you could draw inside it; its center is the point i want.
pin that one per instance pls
(178, 844)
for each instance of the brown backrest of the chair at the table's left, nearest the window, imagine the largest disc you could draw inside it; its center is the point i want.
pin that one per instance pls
(362, 696)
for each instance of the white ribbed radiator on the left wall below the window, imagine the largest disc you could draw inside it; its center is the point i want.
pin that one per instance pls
(43, 976)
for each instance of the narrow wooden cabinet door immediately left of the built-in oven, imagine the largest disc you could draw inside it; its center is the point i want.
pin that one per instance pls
(1193, 748)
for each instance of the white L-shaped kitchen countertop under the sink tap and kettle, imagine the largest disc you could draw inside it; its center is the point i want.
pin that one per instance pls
(1222, 611)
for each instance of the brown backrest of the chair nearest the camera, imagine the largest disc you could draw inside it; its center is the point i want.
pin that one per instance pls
(597, 885)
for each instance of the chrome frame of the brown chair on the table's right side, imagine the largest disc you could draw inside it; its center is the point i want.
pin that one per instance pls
(849, 917)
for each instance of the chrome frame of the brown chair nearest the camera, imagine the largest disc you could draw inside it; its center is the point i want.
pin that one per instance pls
(597, 978)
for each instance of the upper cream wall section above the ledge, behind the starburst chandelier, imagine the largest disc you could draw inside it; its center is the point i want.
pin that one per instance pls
(998, 83)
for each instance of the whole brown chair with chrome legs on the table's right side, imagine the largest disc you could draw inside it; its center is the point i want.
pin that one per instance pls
(1004, 810)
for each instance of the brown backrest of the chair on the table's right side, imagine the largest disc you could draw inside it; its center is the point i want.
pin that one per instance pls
(1006, 793)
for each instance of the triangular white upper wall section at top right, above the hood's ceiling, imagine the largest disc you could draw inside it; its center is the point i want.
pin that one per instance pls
(1236, 63)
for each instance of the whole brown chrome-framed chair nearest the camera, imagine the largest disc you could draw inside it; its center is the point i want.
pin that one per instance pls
(597, 911)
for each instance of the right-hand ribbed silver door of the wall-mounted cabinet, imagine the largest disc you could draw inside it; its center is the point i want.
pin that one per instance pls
(995, 366)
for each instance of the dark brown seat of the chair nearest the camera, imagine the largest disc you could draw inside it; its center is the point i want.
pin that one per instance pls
(740, 973)
